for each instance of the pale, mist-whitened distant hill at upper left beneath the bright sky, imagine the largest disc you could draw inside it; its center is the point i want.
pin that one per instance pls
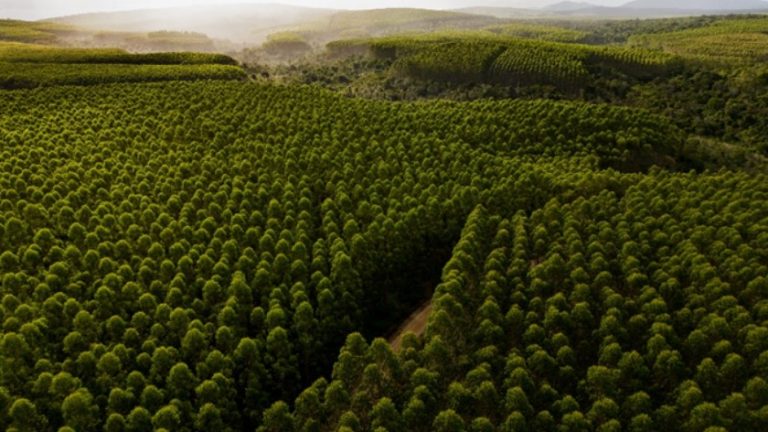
(236, 22)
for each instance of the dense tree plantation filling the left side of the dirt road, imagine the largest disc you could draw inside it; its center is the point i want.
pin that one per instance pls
(179, 258)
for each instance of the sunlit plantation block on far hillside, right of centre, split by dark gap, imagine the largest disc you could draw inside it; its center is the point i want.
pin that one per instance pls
(484, 57)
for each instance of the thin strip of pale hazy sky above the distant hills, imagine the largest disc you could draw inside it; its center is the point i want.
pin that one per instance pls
(34, 9)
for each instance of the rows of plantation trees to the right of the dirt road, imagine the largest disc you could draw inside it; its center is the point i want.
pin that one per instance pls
(599, 301)
